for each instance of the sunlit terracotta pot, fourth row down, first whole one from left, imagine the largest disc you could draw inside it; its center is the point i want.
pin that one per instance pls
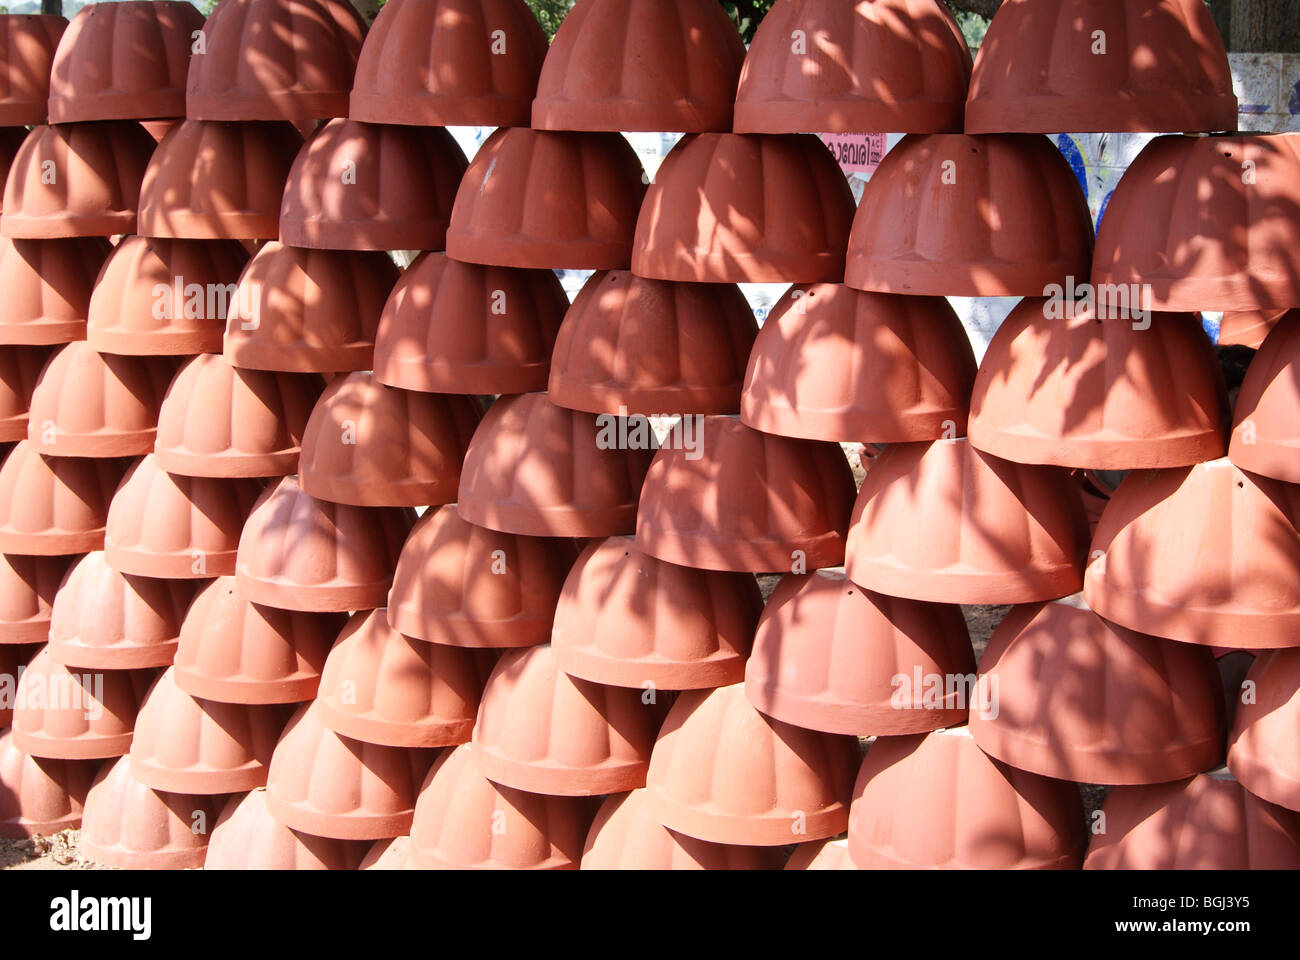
(97, 405)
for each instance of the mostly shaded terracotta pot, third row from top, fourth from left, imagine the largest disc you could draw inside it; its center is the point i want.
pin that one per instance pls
(453, 327)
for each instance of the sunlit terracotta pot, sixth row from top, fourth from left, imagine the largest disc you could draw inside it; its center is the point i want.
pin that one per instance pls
(383, 687)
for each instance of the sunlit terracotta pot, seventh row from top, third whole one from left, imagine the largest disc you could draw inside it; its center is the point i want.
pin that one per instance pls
(327, 785)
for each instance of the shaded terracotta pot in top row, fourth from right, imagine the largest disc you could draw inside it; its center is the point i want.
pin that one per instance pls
(470, 63)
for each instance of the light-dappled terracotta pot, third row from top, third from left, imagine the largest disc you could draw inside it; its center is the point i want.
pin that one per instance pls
(306, 312)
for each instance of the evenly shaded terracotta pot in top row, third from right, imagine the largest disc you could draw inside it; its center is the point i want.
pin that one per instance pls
(642, 66)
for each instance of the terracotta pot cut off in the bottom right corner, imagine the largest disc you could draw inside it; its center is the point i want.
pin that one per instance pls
(1210, 823)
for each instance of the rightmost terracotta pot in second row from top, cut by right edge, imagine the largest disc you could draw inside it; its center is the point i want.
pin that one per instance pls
(1185, 223)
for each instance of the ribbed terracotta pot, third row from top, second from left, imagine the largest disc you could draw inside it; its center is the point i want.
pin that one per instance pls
(140, 306)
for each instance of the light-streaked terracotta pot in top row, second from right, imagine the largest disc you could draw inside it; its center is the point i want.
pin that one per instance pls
(890, 66)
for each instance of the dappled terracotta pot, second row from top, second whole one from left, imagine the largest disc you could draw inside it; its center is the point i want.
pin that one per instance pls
(218, 181)
